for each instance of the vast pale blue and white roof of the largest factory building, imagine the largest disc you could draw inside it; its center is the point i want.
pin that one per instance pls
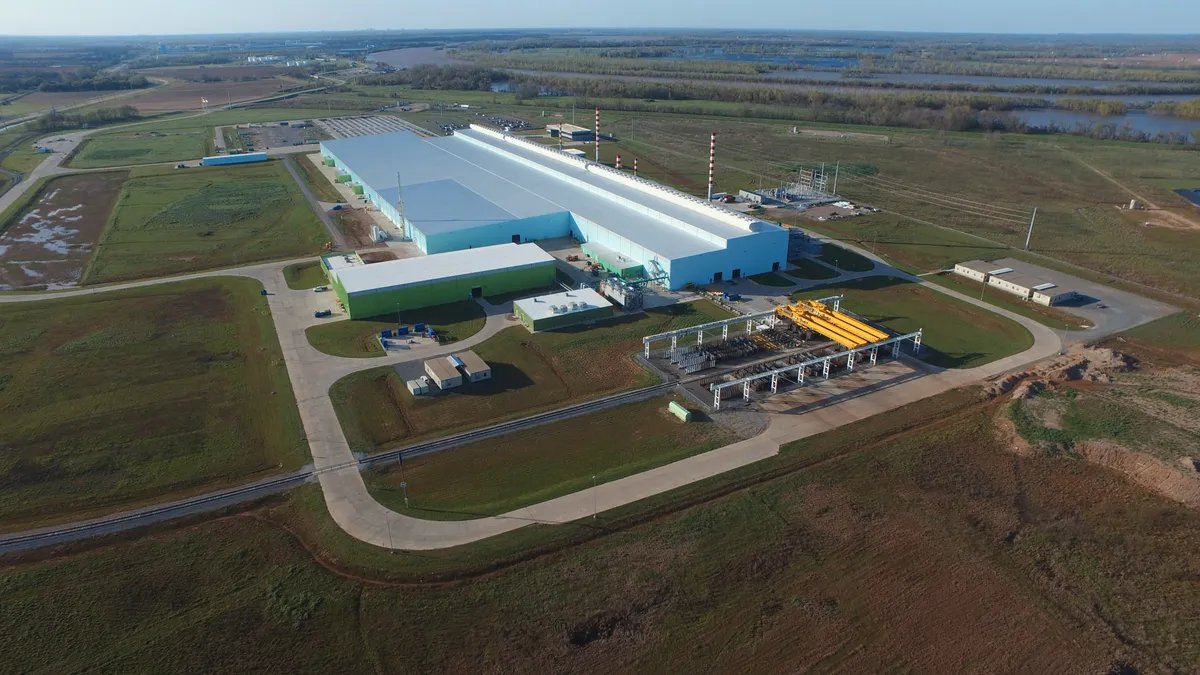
(478, 177)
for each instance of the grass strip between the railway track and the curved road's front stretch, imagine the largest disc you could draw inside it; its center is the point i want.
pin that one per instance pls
(509, 473)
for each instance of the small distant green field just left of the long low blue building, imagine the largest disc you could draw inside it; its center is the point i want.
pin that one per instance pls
(140, 147)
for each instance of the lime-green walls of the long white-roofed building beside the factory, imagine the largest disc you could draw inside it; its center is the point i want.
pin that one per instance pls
(388, 301)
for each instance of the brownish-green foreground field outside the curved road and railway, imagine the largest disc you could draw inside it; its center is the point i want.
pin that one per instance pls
(890, 545)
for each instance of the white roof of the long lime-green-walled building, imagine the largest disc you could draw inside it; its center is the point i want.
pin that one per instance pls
(441, 267)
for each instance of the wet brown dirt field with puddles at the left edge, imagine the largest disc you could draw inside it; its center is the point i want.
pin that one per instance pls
(49, 244)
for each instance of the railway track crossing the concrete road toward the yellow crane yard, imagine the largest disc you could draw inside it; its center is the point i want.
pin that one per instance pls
(211, 501)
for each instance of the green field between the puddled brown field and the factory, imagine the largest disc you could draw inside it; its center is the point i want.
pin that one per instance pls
(171, 222)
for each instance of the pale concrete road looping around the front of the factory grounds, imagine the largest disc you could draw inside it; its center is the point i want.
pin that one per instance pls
(356, 511)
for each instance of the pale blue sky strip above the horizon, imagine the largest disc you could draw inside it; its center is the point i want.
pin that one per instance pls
(170, 17)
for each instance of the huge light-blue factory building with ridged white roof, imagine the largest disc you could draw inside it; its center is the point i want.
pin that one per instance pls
(482, 188)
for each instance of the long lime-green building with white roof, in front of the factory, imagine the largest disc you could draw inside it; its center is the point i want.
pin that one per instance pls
(388, 288)
